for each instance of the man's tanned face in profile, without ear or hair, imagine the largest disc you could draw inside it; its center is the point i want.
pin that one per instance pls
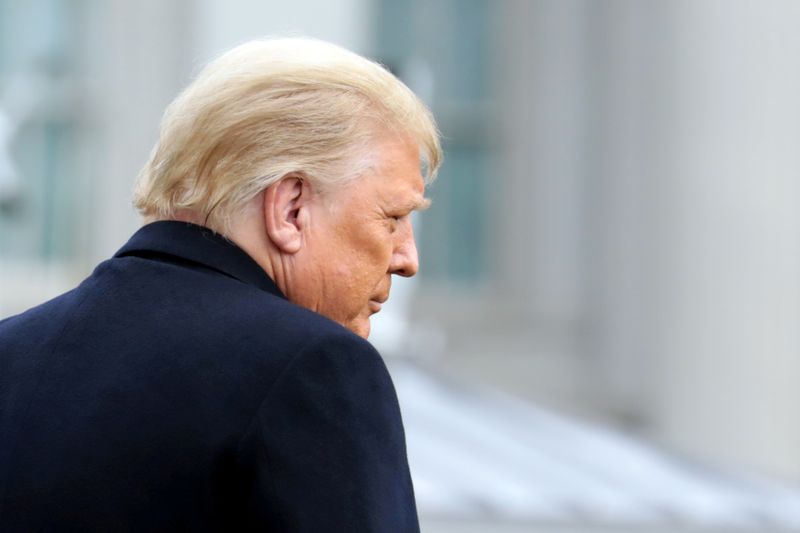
(359, 236)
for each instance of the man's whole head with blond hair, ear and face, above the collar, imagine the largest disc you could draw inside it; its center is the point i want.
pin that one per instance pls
(308, 157)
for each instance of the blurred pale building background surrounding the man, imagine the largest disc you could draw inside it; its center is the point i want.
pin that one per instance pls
(604, 332)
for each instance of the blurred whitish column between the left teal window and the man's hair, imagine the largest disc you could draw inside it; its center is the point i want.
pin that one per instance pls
(138, 53)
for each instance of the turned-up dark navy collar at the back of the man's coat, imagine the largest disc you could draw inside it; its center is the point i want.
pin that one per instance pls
(198, 244)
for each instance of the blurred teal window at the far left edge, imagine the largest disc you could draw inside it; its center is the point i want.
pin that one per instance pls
(35, 60)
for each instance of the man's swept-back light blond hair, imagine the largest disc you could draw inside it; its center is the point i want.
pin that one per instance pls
(272, 107)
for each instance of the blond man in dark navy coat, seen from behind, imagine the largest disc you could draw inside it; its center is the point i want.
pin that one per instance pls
(213, 375)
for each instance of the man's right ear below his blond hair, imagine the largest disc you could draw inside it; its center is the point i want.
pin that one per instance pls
(286, 212)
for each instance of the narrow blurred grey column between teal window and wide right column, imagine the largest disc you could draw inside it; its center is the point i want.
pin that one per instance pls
(539, 81)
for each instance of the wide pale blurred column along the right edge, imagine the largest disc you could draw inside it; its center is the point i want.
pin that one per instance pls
(694, 277)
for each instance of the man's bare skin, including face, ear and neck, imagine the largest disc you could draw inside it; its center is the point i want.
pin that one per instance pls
(335, 253)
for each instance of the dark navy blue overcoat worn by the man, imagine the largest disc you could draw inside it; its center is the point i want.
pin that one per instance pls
(177, 389)
